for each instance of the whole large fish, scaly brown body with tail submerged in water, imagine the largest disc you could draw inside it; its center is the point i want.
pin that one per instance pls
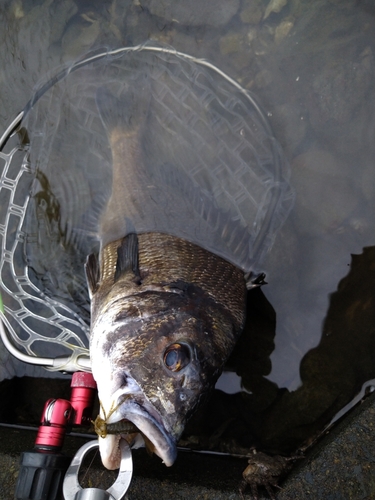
(165, 312)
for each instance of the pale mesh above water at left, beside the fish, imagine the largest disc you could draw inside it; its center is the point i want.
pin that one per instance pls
(38, 325)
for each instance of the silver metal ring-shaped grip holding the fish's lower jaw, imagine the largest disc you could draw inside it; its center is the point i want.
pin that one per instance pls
(72, 490)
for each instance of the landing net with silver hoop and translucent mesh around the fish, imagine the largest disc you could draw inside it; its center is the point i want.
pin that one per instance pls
(43, 330)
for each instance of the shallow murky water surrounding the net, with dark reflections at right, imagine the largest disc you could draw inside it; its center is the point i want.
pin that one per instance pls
(307, 349)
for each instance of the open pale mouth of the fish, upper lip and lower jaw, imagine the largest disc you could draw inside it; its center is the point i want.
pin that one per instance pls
(148, 423)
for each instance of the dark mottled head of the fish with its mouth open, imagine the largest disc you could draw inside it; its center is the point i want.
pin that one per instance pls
(155, 356)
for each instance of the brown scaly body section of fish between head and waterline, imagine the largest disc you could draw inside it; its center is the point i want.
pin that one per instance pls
(164, 260)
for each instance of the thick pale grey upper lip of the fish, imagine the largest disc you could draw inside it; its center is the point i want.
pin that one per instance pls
(149, 423)
